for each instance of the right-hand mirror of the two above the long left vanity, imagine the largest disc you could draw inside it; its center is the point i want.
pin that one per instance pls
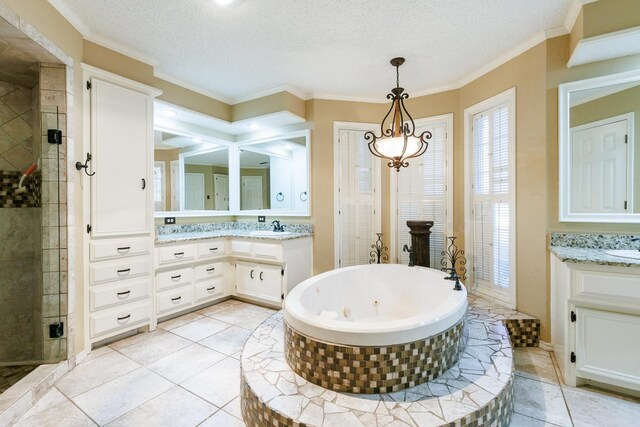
(274, 174)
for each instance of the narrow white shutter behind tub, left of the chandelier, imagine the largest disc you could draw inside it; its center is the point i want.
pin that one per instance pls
(356, 194)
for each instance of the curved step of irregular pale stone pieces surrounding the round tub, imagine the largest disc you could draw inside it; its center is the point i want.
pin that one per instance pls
(478, 390)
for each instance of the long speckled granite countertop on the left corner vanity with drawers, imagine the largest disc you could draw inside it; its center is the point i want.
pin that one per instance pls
(166, 234)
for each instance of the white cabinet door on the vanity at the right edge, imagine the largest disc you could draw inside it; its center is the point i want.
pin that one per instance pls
(607, 347)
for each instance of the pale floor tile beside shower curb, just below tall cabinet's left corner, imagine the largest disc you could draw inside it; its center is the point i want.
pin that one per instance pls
(95, 372)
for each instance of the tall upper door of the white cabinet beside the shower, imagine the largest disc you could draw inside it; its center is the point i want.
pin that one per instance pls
(120, 148)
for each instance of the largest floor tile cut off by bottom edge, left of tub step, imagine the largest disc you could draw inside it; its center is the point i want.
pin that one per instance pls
(175, 407)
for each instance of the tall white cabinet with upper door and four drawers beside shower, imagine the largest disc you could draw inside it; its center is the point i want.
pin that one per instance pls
(118, 204)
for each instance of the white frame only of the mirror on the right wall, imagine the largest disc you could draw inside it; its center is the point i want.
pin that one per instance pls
(564, 154)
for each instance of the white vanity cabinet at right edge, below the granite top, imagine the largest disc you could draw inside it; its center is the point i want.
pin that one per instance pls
(595, 323)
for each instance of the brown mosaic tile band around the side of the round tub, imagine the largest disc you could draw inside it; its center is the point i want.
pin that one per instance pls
(372, 370)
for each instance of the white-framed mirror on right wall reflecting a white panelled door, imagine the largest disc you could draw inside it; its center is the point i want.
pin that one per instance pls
(599, 153)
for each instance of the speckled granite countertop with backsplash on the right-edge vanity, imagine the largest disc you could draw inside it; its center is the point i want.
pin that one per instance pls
(590, 248)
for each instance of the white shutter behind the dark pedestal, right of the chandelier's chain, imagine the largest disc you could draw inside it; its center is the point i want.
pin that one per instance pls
(422, 195)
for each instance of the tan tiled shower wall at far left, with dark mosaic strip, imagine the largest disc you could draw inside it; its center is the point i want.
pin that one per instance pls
(33, 229)
